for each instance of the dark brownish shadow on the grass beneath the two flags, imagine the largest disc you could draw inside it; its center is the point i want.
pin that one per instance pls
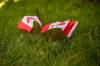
(53, 35)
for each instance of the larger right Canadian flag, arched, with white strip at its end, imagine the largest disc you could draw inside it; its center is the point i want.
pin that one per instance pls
(67, 27)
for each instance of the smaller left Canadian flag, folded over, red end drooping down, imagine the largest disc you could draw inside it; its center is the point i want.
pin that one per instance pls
(27, 23)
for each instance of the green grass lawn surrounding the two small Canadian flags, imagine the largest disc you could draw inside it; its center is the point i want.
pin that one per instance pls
(18, 48)
